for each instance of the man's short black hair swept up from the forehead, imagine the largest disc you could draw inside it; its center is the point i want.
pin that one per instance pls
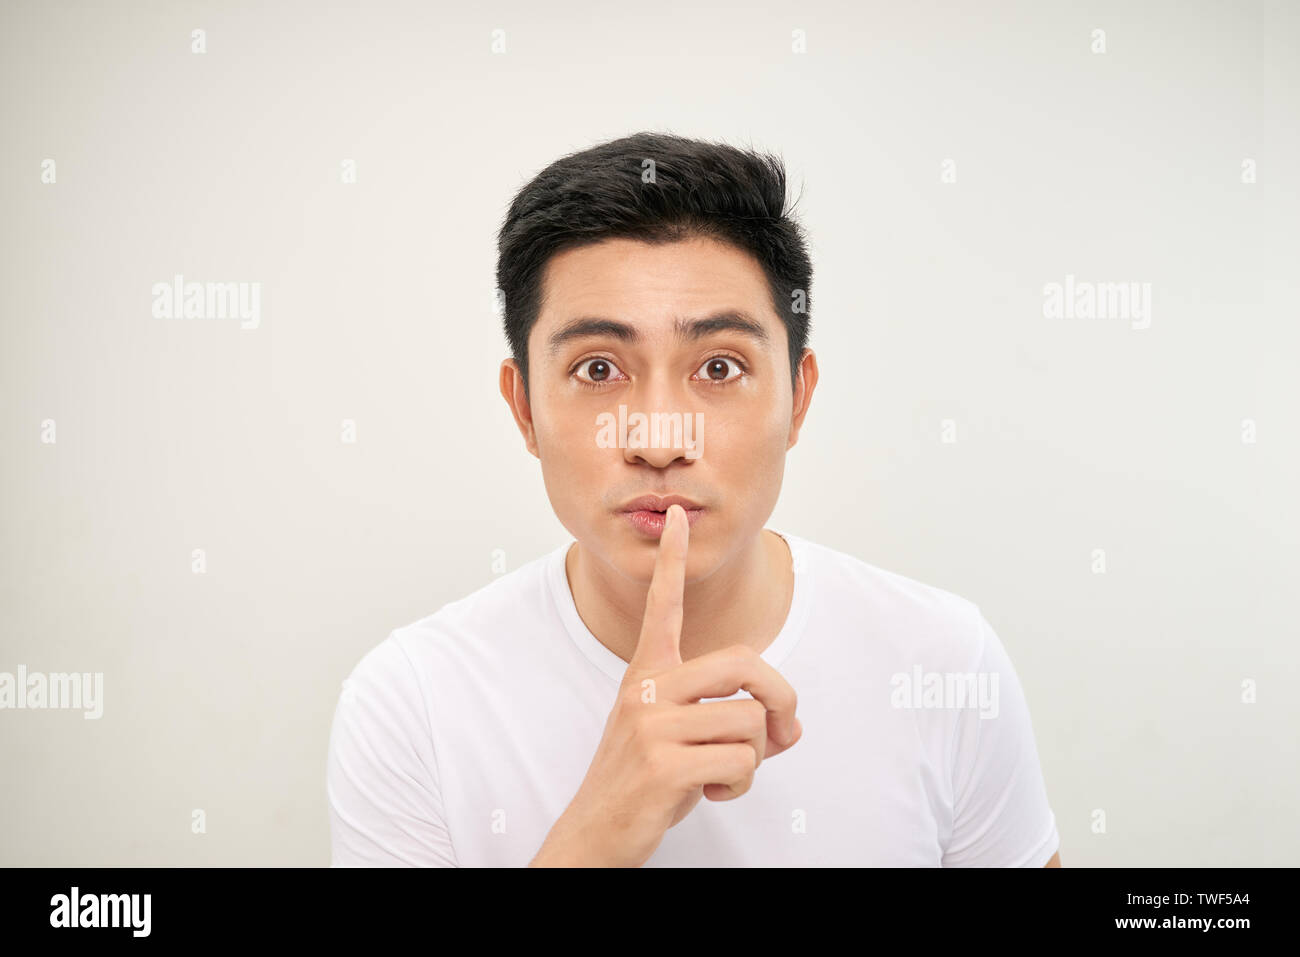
(699, 189)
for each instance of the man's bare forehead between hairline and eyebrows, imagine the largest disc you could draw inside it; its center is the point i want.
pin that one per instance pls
(652, 287)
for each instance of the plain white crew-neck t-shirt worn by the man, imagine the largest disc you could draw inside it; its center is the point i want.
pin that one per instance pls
(462, 738)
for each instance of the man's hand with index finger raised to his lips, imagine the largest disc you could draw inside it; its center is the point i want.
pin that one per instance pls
(664, 748)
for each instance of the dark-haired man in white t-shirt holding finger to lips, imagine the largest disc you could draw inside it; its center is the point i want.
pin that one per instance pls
(679, 686)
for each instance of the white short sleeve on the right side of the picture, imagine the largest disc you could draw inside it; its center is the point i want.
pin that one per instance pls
(1002, 816)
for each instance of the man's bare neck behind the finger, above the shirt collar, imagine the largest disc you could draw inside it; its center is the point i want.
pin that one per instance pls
(744, 603)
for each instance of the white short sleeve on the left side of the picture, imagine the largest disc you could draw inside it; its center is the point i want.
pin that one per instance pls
(382, 780)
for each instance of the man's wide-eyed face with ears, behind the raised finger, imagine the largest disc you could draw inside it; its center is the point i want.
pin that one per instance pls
(730, 389)
